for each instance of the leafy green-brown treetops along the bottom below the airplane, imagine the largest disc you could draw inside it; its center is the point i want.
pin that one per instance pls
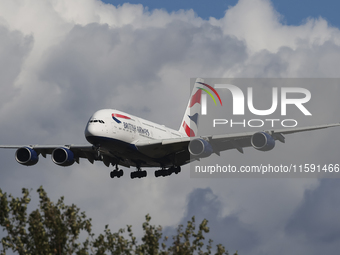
(54, 228)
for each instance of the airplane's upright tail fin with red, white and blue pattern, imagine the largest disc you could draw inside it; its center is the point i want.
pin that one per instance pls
(189, 125)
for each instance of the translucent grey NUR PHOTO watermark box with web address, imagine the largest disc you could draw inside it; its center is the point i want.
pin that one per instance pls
(243, 126)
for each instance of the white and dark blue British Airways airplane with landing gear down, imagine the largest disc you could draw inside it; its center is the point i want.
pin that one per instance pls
(120, 139)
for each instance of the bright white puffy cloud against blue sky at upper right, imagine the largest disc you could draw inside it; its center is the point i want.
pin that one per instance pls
(260, 27)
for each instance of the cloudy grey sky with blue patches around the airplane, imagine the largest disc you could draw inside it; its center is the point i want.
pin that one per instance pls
(62, 60)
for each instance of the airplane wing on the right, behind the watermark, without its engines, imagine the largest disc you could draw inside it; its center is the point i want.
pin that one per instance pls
(178, 147)
